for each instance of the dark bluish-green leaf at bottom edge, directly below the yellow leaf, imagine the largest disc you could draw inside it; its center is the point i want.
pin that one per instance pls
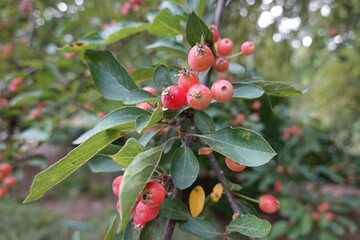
(199, 228)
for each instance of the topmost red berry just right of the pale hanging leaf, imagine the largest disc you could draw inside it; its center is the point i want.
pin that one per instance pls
(153, 194)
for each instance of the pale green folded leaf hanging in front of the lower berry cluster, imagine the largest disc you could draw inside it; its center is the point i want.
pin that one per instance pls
(135, 178)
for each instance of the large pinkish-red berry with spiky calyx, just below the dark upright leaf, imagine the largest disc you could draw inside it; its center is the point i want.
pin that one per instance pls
(200, 58)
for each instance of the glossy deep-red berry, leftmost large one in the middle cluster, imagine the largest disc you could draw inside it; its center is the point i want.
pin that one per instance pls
(173, 97)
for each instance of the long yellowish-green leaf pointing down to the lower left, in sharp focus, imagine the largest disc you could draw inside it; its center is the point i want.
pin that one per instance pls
(48, 178)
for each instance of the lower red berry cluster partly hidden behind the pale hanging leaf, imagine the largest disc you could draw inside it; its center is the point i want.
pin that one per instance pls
(148, 202)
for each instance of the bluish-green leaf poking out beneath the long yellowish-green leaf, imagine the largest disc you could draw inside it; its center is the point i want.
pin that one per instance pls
(101, 163)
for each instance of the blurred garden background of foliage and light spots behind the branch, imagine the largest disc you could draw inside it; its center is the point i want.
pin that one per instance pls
(47, 99)
